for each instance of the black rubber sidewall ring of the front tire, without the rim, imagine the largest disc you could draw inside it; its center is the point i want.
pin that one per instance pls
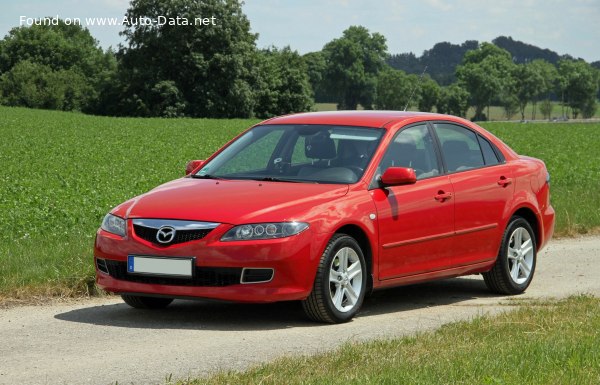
(335, 246)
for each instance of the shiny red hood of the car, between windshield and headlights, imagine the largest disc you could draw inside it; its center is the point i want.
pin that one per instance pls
(231, 201)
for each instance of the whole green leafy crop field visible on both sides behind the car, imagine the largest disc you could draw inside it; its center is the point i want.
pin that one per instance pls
(60, 173)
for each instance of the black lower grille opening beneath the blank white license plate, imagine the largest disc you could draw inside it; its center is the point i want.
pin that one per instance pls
(203, 276)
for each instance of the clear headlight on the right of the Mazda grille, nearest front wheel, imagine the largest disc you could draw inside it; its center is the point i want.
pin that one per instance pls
(264, 231)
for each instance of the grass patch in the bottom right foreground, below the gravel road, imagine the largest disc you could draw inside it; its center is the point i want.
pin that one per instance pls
(540, 343)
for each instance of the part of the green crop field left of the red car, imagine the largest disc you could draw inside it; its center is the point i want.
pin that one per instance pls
(61, 173)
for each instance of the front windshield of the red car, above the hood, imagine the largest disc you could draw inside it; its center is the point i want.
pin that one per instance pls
(296, 153)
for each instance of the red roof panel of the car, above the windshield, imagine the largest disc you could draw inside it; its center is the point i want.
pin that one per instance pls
(356, 118)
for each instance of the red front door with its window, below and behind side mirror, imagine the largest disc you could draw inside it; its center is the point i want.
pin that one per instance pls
(415, 221)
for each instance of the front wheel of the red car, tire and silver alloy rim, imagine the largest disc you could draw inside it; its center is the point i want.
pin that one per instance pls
(340, 283)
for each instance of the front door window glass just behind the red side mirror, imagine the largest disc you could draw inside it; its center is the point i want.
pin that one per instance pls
(412, 147)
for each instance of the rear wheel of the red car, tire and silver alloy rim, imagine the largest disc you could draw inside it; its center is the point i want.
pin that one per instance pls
(516, 260)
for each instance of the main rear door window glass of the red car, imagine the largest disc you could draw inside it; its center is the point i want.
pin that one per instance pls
(460, 147)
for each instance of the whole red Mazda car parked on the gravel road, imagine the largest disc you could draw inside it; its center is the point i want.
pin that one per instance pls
(325, 207)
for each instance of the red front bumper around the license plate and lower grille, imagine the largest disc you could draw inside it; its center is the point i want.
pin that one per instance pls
(294, 261)
